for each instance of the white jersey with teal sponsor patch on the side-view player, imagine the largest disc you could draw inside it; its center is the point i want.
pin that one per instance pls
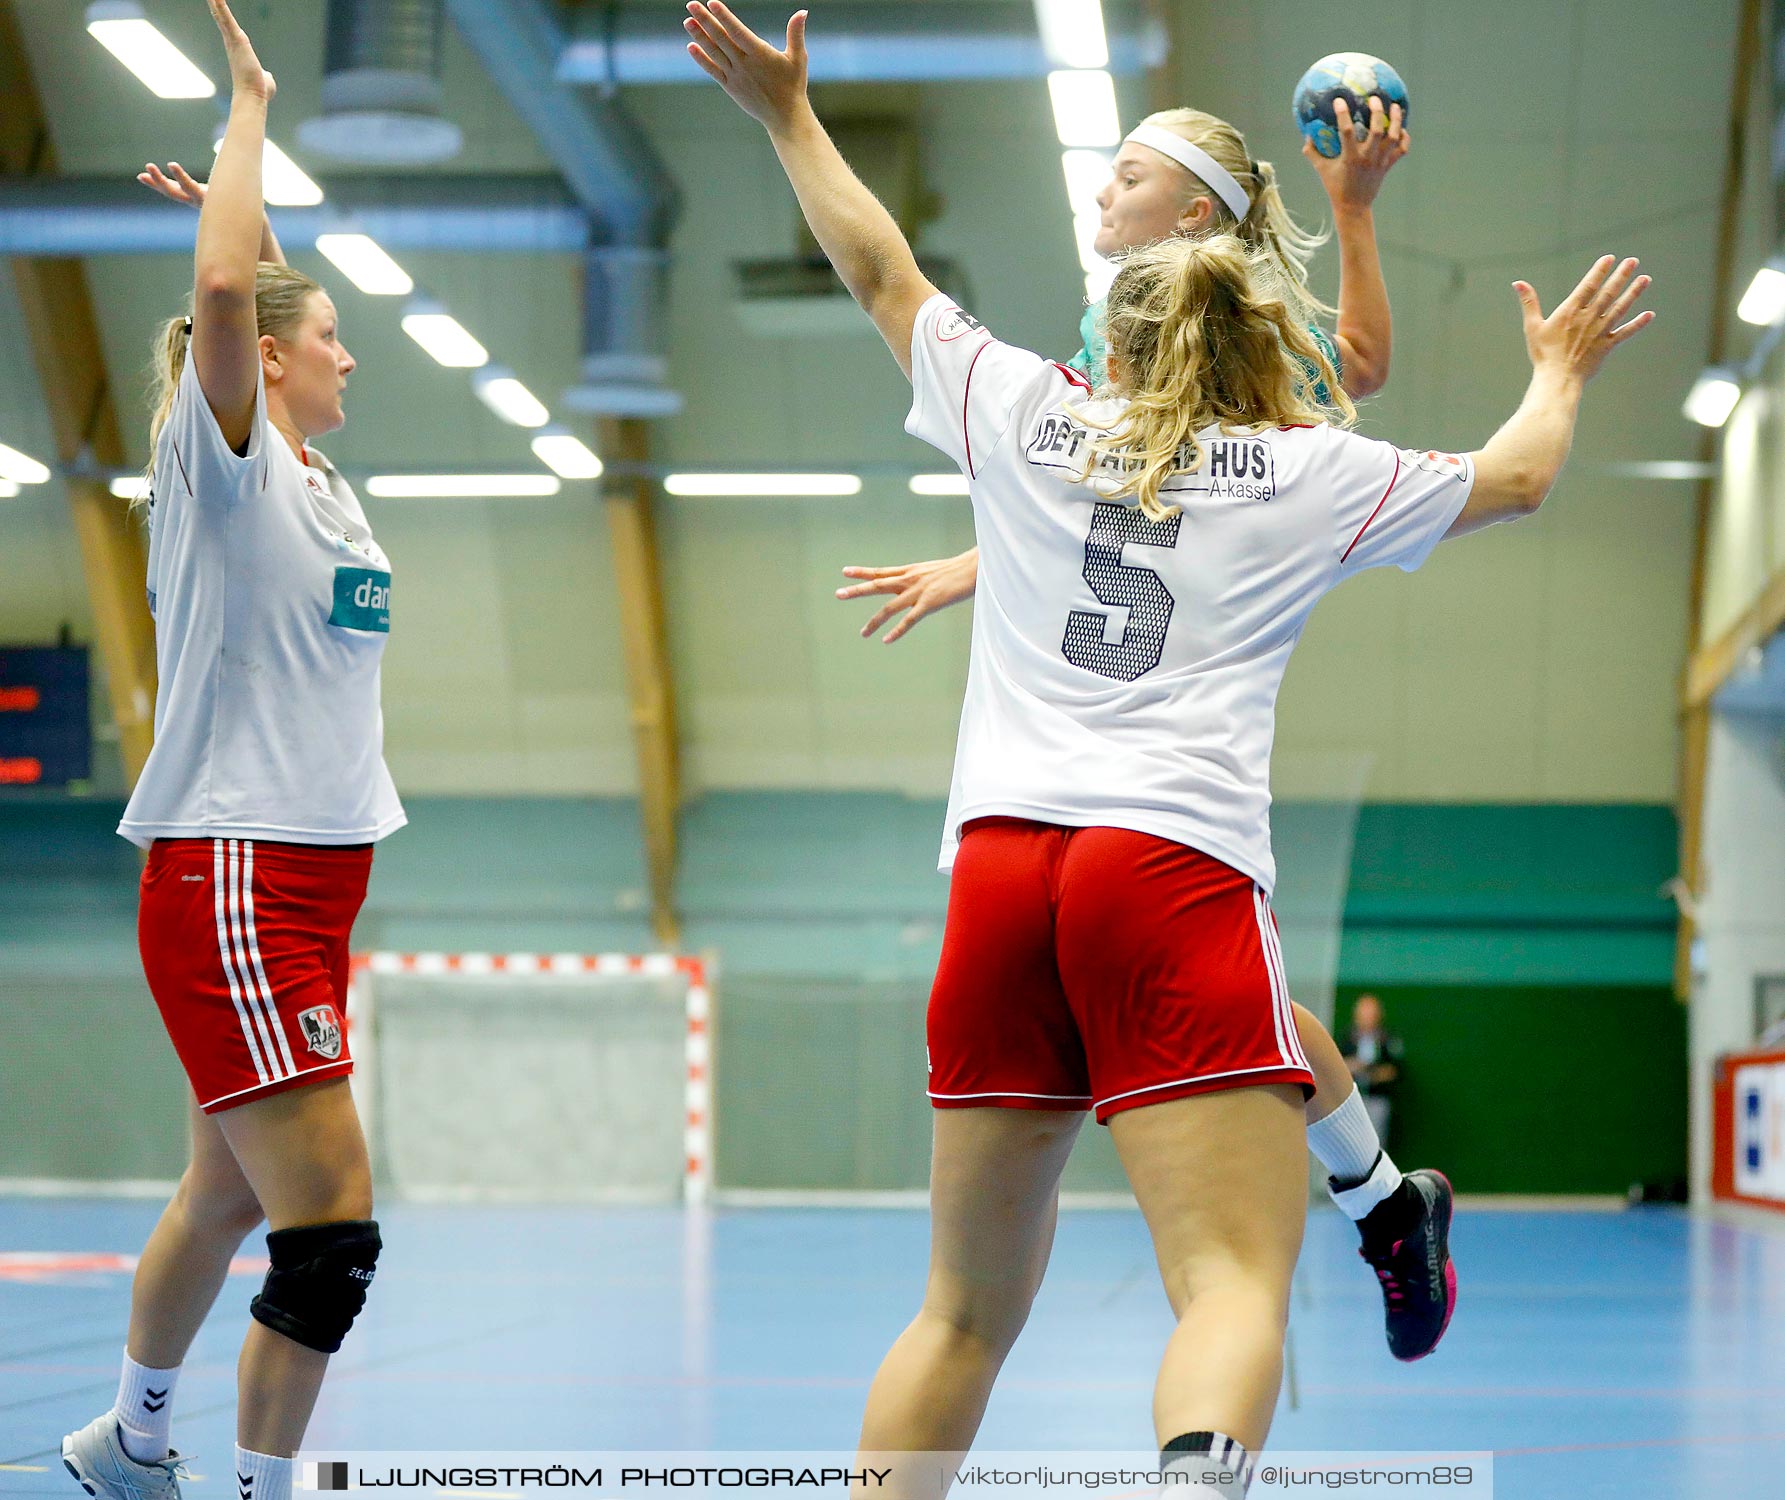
(272, 610)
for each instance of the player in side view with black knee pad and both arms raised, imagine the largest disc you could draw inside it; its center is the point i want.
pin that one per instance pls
(260, 806)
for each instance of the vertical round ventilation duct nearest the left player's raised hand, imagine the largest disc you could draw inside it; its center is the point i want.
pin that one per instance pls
(383, 87)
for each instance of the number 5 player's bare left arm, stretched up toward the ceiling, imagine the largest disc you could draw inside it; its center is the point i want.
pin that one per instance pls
(854, 229)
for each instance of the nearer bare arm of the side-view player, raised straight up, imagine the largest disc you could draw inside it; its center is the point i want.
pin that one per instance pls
(226, 335)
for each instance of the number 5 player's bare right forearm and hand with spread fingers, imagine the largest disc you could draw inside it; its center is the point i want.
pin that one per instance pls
(1515, 472)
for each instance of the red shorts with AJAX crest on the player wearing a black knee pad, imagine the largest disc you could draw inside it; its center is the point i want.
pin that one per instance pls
(245, 947)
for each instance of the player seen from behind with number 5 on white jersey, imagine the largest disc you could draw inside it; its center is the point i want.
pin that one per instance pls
(1149, 562)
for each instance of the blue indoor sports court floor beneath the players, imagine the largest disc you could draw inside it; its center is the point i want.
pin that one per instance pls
(1600, 1354)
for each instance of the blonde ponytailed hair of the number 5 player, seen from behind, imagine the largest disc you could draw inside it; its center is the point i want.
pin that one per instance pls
(1202, 337)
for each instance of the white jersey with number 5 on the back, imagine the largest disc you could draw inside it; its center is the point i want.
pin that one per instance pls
(1125, 671)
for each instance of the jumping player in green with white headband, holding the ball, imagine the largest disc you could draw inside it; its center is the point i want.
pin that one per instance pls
(1190, 174)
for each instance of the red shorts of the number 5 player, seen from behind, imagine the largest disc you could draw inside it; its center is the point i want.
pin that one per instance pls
(1104, 969)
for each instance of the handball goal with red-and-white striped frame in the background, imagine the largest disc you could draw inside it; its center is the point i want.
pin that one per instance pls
(527, 1078)
